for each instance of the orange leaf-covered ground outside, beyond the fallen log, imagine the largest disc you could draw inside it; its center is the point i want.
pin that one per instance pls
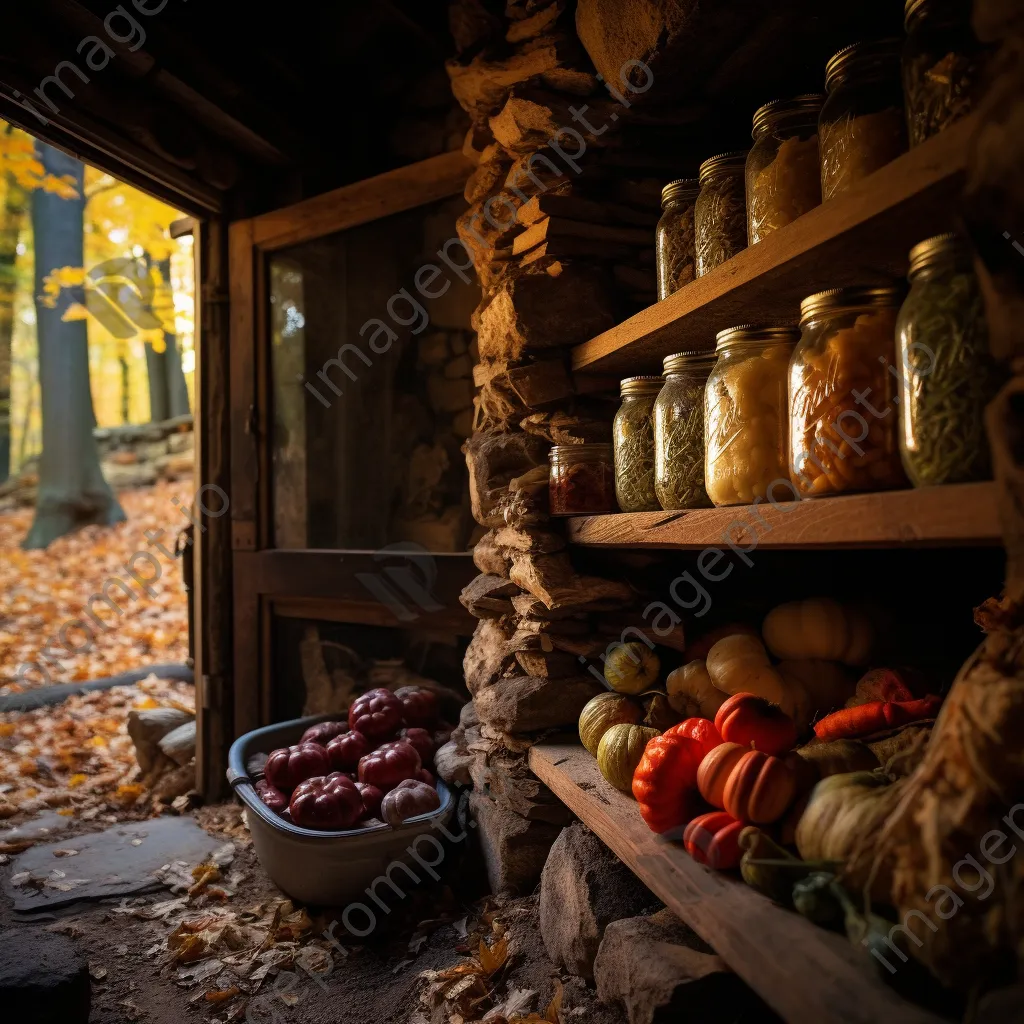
(47, 596)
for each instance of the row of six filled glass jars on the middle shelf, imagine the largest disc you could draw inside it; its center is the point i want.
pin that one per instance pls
(872, 390)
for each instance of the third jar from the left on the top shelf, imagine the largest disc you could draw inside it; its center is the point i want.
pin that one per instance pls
(784, 174)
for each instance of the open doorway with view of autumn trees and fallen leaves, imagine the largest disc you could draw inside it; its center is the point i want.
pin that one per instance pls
(98, 390)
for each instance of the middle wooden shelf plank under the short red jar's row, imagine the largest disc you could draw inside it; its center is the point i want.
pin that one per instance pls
(959, 516)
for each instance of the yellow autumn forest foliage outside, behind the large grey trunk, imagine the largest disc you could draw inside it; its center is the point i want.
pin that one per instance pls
(134, 290)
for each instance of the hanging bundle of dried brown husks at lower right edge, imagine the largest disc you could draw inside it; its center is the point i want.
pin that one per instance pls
(970, 778)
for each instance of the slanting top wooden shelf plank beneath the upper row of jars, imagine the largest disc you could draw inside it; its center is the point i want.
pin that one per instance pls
(862, 238)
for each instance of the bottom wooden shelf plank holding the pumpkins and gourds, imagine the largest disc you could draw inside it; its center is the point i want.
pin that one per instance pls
(803, 972)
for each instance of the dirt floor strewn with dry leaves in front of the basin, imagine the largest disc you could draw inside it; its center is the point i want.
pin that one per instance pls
(426, 967)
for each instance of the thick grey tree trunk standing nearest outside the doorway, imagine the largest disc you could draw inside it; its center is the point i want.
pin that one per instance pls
(72, 490)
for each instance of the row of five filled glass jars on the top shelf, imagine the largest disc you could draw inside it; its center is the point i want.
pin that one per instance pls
(813, 149)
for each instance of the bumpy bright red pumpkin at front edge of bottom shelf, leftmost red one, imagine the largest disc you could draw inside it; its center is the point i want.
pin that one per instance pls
(665, 783)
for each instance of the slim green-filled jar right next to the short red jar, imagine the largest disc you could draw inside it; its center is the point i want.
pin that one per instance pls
(633, 441)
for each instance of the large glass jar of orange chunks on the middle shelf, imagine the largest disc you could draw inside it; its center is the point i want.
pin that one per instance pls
(843, 403)
